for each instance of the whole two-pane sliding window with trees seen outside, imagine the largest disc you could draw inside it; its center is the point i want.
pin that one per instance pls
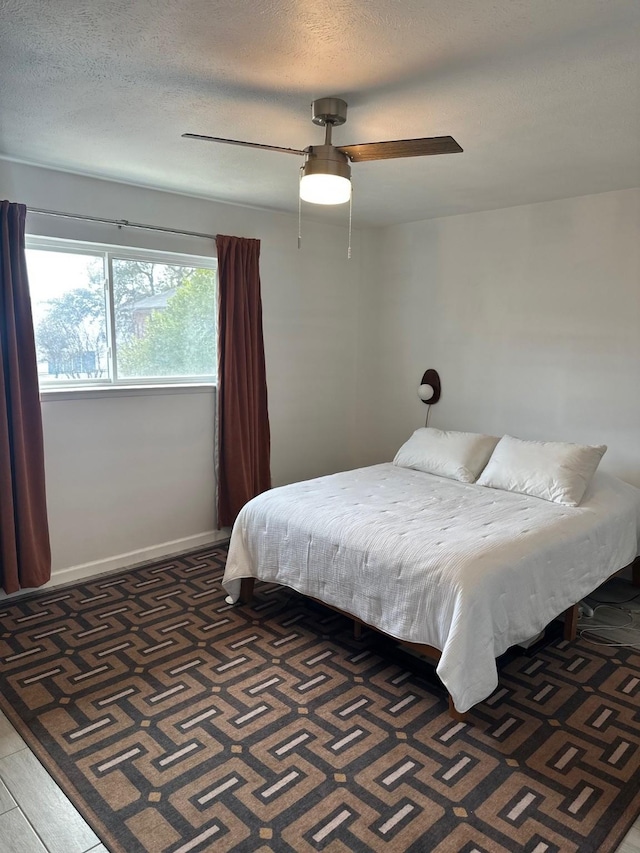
(106, 316)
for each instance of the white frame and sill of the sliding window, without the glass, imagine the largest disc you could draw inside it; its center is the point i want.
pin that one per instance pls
(109, 253)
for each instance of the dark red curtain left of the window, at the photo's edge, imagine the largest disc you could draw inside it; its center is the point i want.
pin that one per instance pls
(25, 556)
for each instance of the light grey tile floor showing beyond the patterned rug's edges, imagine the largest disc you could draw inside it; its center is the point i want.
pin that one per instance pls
(36, 817)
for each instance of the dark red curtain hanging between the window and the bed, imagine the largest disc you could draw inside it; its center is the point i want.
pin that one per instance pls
(243, 417)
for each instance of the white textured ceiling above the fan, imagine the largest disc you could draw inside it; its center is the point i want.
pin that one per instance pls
(543, 95)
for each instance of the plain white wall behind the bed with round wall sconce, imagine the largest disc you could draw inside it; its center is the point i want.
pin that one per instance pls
(531, 315)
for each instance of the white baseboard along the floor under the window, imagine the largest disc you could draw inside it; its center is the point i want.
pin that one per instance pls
(131, 558)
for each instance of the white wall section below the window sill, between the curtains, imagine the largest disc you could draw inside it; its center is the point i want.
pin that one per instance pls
(129, 477)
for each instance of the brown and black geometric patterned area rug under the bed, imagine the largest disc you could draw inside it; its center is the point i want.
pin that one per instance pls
(179, 724)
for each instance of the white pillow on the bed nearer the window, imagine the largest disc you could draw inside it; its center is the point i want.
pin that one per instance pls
(456, 455)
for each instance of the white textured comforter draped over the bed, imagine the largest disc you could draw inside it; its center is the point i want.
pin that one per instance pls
(464, 568)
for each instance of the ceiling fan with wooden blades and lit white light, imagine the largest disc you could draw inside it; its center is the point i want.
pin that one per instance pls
(326, 173)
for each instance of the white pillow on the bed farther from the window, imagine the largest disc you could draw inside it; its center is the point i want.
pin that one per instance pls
(552, 470)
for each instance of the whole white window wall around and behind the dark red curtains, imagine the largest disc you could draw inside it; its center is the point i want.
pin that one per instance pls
(132, 476)
